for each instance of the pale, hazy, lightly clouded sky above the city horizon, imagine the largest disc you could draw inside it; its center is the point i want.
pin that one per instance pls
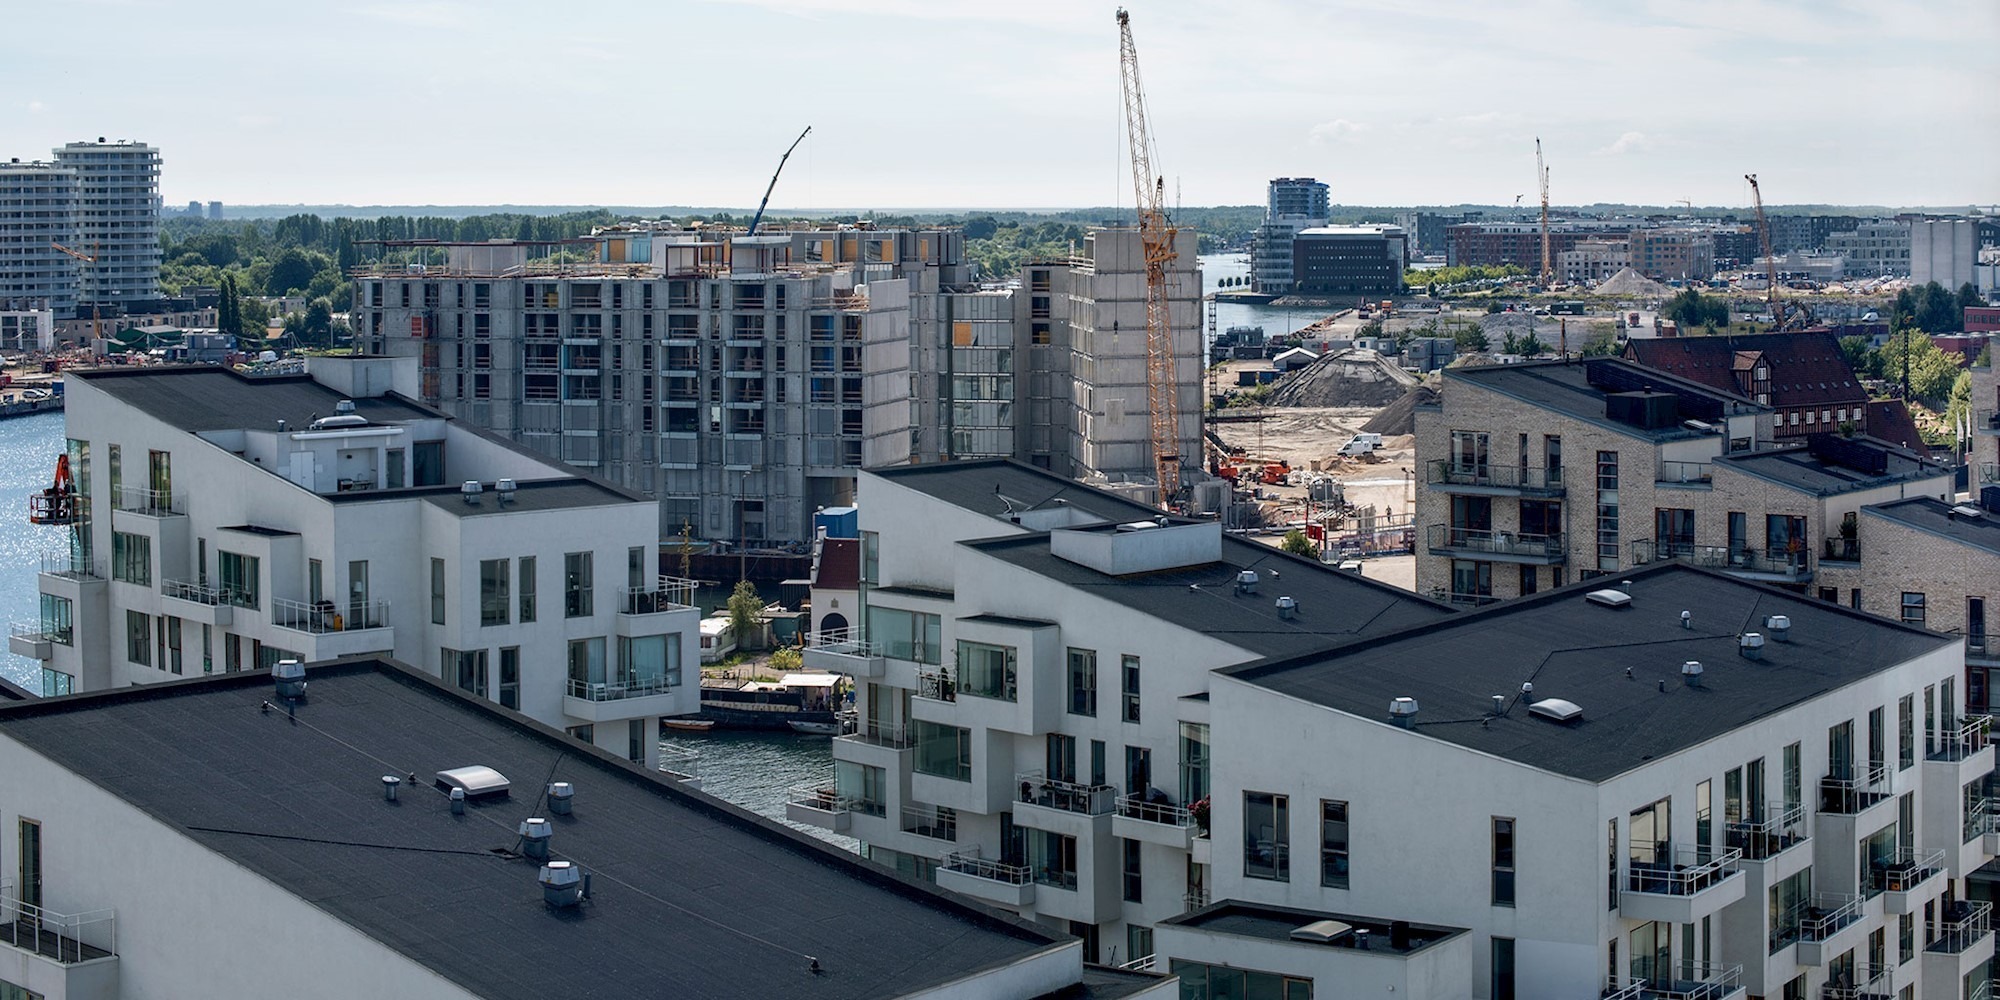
(1017, 103)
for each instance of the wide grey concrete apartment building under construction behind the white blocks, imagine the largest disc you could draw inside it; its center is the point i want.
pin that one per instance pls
(743, 379)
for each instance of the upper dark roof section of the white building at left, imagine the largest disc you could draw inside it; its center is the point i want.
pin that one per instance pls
(203, 397)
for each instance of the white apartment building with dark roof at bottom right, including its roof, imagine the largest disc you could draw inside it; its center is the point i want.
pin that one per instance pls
(1689, 787)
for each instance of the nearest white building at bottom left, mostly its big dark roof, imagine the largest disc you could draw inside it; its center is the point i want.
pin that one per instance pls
(221, 839)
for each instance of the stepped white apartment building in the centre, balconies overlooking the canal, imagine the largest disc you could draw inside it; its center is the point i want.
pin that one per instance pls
(1033, 667)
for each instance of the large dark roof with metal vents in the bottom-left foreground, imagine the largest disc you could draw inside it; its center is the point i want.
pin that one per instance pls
(693, 897)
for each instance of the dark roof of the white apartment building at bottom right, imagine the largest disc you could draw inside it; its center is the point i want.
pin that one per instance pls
(1581, 653)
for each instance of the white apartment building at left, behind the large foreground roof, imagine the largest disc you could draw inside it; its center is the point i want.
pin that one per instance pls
(227, 523)
